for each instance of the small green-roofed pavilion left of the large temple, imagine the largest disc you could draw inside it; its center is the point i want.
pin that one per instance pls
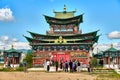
(12, 57)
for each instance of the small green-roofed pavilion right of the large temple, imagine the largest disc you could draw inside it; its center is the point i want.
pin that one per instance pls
(110, 57)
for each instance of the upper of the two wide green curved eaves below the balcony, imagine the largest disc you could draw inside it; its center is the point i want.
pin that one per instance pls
(56, 36)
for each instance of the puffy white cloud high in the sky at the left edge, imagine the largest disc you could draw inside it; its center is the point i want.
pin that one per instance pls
(6, 14)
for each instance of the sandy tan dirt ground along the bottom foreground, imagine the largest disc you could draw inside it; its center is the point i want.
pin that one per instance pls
(45, 76)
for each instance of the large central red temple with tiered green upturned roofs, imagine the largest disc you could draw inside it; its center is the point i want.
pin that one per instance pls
(64, 41)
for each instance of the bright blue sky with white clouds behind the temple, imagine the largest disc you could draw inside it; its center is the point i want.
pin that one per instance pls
(23, 15)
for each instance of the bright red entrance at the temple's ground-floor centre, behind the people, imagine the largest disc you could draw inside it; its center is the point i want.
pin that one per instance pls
(61, 57)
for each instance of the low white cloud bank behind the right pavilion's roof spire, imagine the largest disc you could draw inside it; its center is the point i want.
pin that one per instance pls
(103, 47)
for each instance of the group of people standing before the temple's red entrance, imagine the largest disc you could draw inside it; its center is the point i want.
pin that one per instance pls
(72, 66)
